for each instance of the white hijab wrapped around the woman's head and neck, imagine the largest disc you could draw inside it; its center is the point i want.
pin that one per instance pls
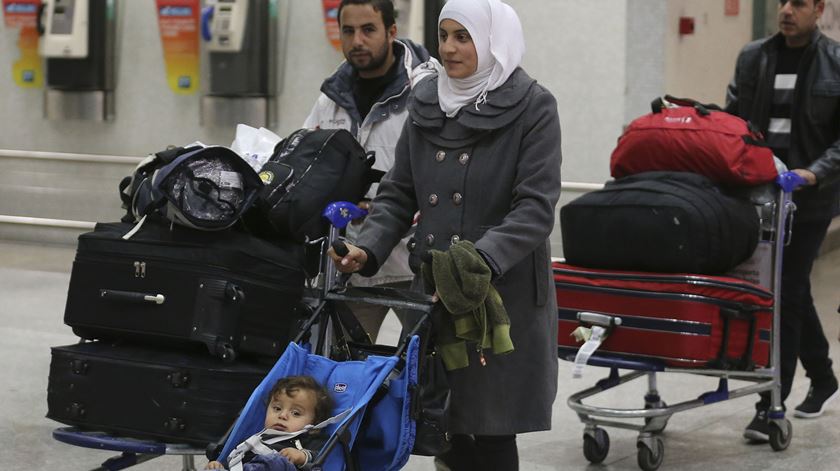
(499, 43)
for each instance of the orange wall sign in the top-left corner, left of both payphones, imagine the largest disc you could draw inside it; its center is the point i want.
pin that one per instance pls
(22, 14)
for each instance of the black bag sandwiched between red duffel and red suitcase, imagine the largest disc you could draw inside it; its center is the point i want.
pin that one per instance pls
(660, 222)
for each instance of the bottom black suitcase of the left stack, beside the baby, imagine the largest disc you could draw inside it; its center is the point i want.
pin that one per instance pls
(176, 396)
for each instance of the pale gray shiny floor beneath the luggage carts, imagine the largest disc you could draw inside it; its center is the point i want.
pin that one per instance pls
(33, 286)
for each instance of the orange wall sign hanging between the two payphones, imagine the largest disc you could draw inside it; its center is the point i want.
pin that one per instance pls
(178, 22)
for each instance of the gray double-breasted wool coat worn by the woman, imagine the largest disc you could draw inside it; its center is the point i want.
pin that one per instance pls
(491, 176)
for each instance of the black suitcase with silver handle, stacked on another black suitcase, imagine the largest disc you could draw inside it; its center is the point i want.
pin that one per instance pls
(228, 290)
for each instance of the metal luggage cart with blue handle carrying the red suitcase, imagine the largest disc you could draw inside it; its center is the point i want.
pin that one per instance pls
(776, 210)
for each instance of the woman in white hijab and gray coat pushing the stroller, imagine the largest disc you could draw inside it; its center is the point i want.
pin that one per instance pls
(479, 158)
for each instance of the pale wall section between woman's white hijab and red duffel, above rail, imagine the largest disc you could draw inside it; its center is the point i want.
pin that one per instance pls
(576, 50)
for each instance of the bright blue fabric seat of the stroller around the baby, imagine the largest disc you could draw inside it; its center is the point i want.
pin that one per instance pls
(377, 432)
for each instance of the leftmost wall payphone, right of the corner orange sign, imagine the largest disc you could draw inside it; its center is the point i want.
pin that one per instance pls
(78, 43)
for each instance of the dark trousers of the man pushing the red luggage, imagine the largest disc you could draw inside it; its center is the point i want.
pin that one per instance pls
(802, 335)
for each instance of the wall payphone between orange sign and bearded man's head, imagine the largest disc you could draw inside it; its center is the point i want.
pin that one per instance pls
(241, 39)
